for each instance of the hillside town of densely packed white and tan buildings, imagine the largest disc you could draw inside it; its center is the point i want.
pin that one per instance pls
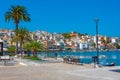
(57, 41)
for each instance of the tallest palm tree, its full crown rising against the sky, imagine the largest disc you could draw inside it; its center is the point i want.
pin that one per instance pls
(17, 13)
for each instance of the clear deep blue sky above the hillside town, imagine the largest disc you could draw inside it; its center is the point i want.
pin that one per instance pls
(67, 15)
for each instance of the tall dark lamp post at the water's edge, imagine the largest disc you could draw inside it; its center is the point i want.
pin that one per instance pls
(96, 21)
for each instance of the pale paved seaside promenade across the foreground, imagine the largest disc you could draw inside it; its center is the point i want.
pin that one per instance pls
(50, 69)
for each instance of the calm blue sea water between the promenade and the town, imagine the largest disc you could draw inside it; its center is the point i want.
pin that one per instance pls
(85, 57)
